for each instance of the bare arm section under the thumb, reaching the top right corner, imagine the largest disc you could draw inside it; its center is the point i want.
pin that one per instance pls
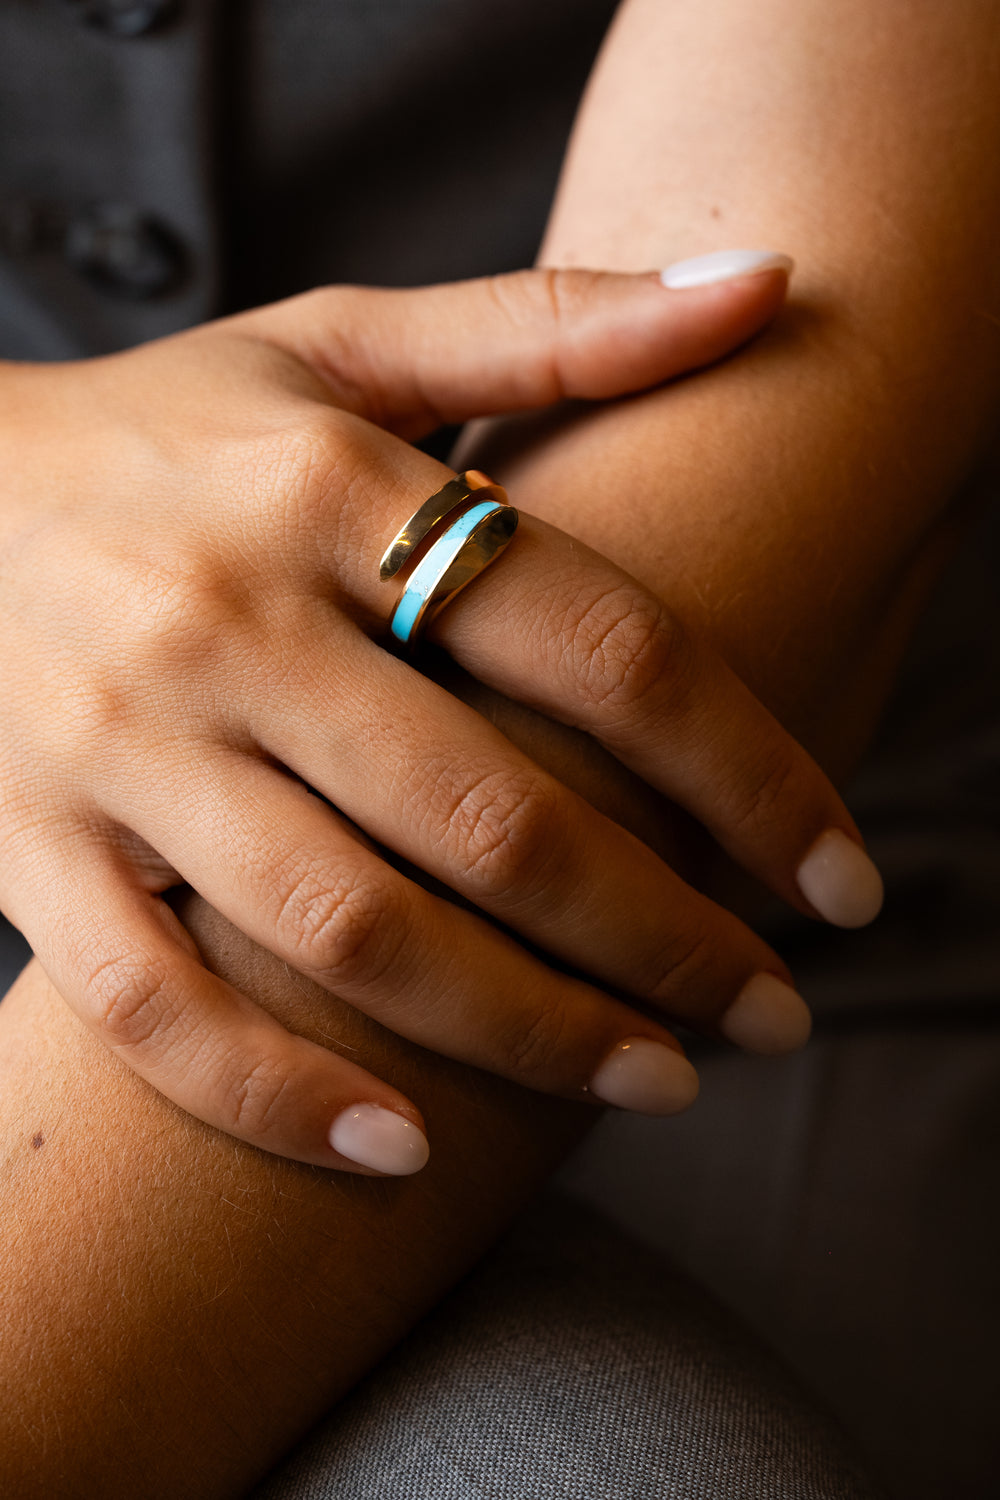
(794, 502)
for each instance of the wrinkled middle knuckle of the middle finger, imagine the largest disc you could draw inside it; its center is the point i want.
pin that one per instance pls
(503, 830)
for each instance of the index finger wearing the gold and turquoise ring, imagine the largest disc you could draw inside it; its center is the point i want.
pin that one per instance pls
(561, 629)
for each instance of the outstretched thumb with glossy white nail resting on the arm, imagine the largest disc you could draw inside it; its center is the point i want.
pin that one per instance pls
(418, 359)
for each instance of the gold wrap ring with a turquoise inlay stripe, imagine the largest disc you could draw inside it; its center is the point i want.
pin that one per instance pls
(464, 550)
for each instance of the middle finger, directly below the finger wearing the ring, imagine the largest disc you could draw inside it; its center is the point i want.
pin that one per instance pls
(431, 779)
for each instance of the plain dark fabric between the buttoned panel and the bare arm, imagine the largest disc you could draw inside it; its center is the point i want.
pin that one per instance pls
(398, 142)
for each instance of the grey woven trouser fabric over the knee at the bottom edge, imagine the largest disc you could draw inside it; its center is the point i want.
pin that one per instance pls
(575, 1364)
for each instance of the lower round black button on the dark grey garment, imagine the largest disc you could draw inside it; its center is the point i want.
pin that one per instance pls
(125, 253)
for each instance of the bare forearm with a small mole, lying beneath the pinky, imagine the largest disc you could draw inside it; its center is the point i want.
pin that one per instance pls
(178, 1309)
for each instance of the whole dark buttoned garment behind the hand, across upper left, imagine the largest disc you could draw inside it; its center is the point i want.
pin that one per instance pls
(233, 154)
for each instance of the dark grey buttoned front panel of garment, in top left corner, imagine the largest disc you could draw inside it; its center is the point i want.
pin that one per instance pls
(91, 119)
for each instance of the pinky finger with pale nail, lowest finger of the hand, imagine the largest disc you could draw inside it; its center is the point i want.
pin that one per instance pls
(211, 1051)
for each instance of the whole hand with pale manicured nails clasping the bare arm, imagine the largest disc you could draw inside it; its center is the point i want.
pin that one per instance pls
(193, 616)
